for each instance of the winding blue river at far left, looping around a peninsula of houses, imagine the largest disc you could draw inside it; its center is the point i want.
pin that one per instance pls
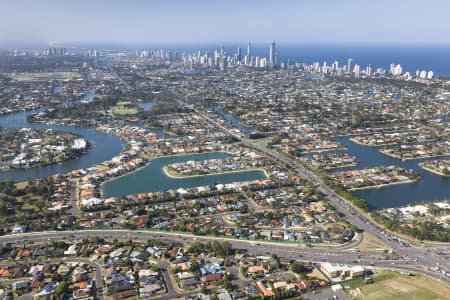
(104, 146)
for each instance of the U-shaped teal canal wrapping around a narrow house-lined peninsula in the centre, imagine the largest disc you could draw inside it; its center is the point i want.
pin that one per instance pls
(152, 178)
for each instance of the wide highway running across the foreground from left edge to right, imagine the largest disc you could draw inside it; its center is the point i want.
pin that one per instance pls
(365, 258)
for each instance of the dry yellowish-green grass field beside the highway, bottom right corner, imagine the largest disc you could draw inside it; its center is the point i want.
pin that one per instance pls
(393, 285)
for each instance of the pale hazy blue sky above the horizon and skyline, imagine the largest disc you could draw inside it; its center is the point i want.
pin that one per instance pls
(208, 21)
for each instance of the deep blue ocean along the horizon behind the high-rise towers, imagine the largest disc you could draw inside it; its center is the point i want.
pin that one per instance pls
(411, 57)
